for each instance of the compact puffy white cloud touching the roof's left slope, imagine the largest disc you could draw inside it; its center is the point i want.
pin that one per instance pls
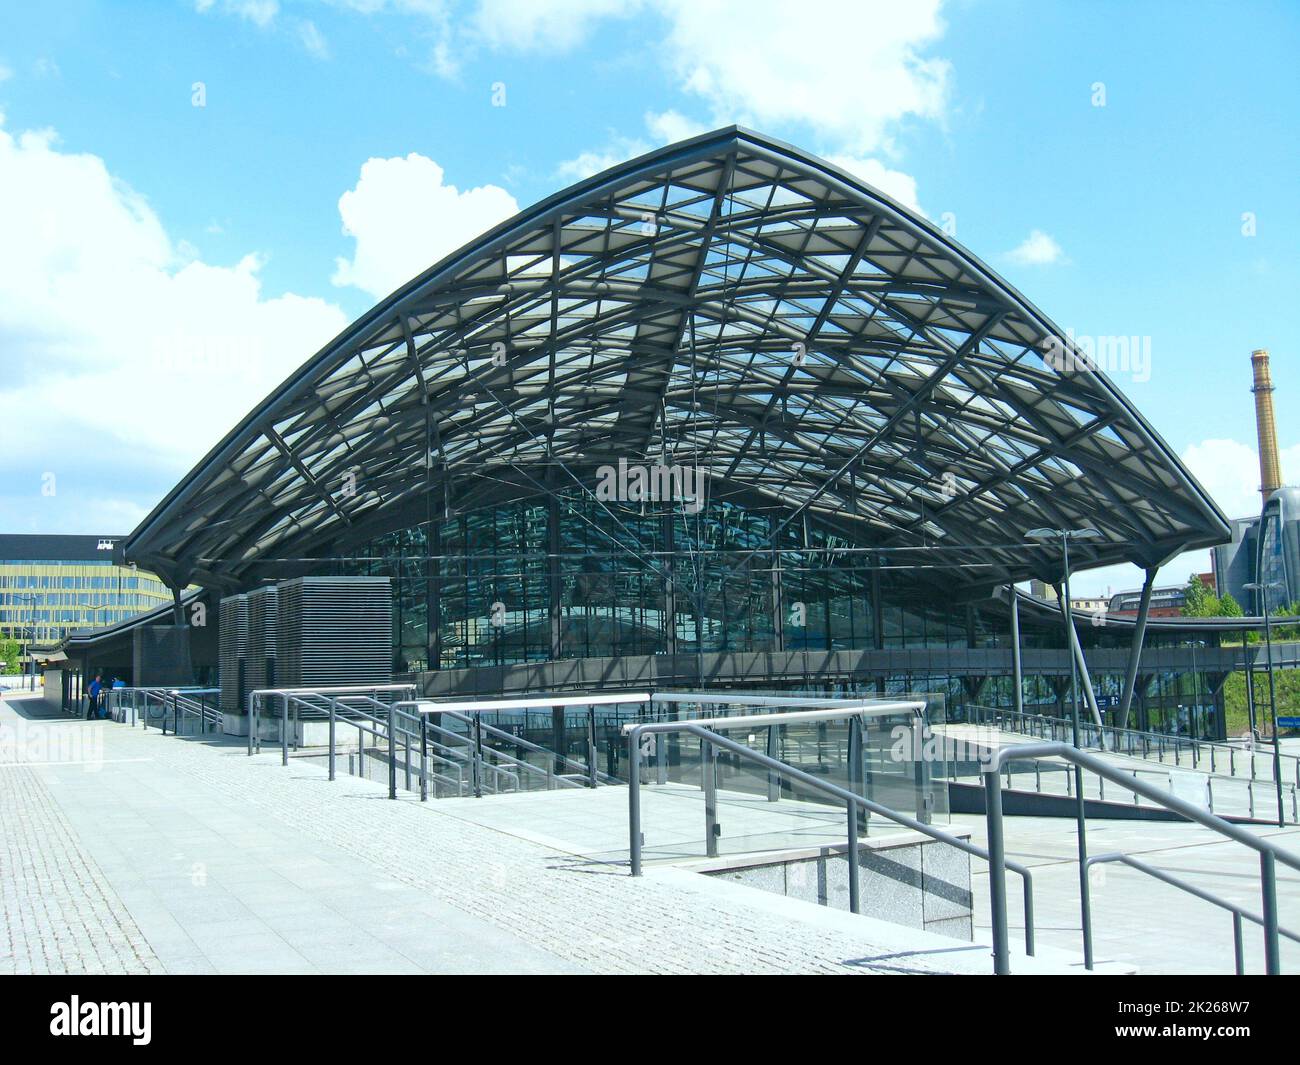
(405, 219)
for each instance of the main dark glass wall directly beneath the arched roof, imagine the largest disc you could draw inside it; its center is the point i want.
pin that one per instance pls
(645, 585)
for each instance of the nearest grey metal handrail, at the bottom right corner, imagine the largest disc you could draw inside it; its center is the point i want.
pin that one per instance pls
(1269, 854)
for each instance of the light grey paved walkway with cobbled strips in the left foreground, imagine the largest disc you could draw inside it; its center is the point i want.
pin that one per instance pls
(135, 852)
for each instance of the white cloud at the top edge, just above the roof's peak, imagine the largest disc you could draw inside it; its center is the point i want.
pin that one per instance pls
(850, 71)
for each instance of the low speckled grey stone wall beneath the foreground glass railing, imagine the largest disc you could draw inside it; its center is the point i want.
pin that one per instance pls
(913, 881)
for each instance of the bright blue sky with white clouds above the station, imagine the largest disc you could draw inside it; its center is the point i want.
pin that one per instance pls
(119, 194)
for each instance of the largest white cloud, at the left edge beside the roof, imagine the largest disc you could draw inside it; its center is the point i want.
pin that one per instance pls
(125, 361)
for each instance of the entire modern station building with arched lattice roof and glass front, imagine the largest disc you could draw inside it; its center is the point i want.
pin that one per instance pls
(720, 417)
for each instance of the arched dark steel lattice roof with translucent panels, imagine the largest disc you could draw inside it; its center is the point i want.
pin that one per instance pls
(727, 302)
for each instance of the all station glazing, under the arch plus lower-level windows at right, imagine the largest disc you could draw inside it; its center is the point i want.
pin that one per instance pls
(629, 582)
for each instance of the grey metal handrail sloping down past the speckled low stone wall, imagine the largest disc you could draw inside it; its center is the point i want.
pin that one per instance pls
(855, 803)
